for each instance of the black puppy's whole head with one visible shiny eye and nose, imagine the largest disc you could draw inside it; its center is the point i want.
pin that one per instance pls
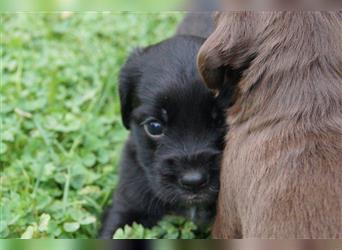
(175, 122)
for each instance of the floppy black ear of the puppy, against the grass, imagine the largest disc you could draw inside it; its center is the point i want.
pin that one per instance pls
(128, 81)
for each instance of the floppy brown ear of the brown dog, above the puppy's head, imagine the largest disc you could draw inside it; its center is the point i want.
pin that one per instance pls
(228, 50)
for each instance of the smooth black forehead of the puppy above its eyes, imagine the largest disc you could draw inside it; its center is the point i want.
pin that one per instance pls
(170, 79)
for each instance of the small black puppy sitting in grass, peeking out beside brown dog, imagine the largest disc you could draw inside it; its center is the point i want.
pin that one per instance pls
(170, 164)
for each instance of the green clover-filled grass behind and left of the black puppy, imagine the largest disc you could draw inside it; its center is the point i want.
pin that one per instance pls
(61, 131)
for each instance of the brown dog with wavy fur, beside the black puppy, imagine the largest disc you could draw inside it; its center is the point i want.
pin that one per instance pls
(282, 169)
